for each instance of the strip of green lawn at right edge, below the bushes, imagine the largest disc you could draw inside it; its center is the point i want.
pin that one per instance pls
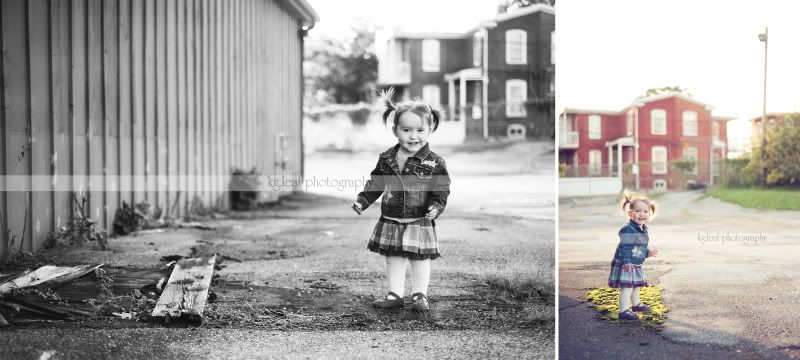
(775, 199)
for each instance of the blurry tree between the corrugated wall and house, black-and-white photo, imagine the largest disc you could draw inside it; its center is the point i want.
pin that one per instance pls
(339, 69)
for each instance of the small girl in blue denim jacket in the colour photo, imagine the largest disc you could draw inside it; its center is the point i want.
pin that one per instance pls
(626, 268)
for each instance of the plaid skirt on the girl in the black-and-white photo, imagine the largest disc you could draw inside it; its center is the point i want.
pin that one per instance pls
(415, 240)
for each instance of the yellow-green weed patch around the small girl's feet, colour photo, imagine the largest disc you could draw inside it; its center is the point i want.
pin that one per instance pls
(606, 301)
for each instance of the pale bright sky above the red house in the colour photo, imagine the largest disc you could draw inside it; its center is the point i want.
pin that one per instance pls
(610, 52)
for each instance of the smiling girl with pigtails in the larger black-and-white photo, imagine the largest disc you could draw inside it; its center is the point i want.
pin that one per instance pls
(413, 184)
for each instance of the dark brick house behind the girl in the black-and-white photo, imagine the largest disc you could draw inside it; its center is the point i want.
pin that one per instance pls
(493, 80)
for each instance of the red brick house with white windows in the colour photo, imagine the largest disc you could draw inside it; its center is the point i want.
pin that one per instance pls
(672, 126)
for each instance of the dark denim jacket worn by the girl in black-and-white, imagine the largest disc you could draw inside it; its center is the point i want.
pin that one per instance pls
(408, 192)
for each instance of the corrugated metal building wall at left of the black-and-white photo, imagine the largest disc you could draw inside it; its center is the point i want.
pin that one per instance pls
(130, 100)
